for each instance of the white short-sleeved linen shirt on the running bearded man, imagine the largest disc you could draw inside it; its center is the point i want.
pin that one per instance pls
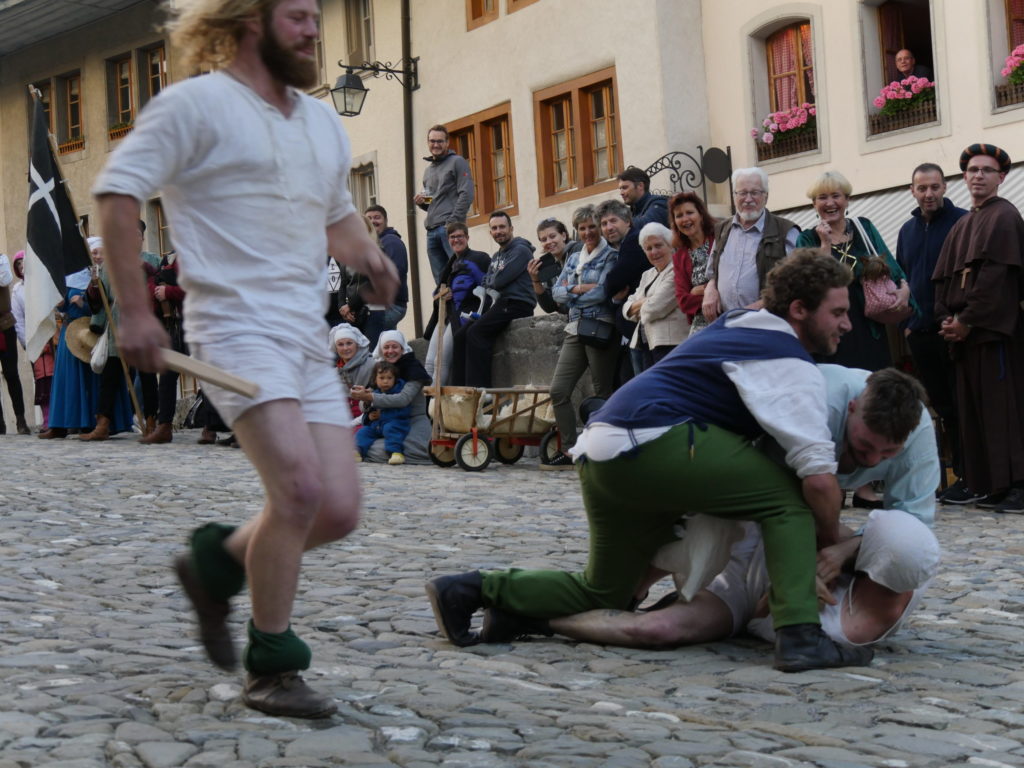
(249, 195)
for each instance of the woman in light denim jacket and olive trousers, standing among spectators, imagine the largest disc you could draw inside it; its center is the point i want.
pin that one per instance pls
(581, 290)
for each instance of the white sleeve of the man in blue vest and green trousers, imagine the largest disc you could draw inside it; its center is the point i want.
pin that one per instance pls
(788, 398)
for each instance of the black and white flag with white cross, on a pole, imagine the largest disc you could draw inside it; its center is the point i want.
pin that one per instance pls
(56, 248)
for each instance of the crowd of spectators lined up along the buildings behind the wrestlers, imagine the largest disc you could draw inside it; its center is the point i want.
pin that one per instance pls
(634, 278)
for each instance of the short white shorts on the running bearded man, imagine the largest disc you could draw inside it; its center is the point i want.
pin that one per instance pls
(283, 371)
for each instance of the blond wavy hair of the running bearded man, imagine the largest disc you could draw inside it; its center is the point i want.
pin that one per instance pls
(207, 32)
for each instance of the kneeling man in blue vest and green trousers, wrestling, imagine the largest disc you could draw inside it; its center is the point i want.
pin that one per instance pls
(680, 440)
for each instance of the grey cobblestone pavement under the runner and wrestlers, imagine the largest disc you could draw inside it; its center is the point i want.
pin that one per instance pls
(100, 667)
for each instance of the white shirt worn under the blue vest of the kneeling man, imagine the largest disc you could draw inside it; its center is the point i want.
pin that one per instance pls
(786, 396)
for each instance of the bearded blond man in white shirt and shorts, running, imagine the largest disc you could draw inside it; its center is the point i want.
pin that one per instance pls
(253, 176)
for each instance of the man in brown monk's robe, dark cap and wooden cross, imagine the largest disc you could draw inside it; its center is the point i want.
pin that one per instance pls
(979, 287)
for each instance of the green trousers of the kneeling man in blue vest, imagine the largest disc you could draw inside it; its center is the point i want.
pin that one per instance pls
(633, 503)
